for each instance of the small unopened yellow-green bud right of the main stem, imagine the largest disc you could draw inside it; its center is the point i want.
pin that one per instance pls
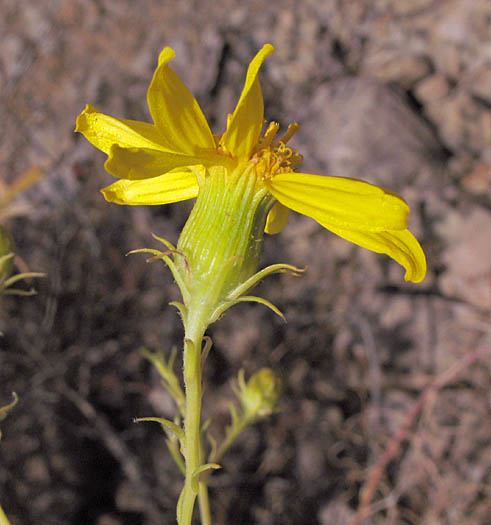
(260, 394)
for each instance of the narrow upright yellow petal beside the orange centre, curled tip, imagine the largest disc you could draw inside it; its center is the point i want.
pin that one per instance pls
(245, 123)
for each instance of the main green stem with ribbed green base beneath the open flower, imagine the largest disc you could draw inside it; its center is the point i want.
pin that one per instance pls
(218, 250)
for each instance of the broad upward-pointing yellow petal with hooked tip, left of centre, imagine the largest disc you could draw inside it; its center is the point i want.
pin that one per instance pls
(175, 111)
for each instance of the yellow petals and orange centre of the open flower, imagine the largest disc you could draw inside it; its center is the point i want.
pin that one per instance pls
(157, 164)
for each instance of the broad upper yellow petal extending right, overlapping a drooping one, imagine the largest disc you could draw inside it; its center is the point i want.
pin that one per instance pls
(340, 202)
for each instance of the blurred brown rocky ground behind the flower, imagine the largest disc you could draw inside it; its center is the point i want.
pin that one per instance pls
(397, 93)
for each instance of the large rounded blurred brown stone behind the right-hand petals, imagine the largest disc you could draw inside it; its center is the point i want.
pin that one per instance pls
(368, 132)
